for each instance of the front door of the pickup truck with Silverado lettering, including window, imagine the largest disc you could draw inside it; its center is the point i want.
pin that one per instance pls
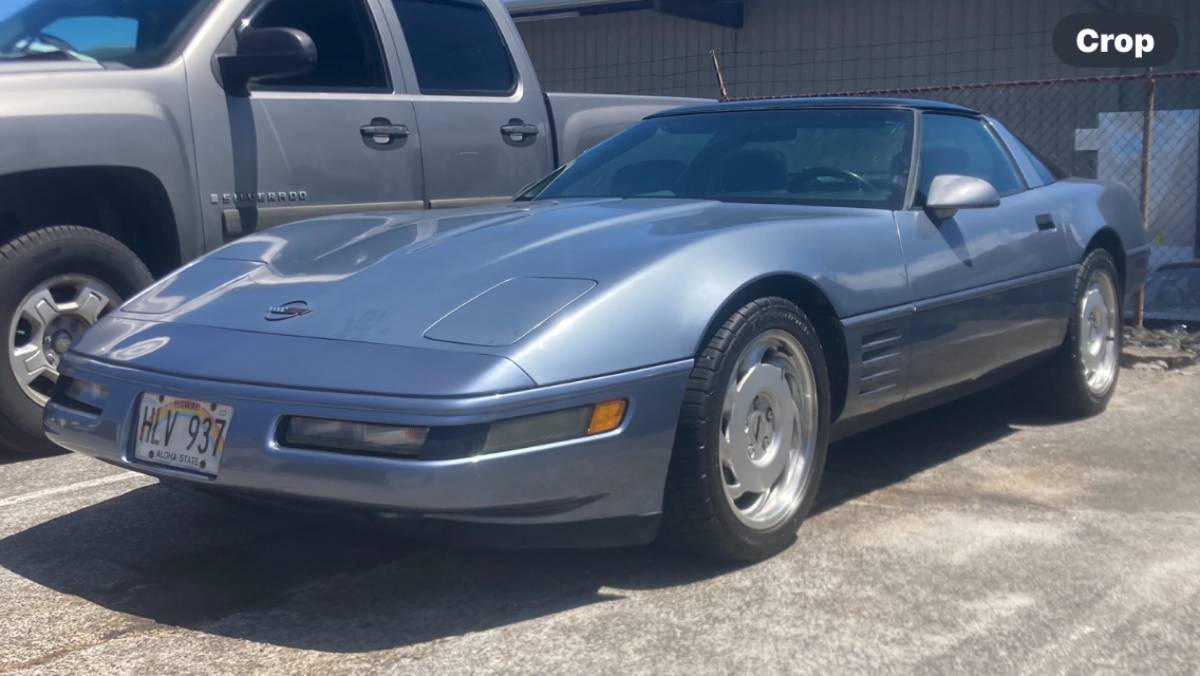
(338, 140)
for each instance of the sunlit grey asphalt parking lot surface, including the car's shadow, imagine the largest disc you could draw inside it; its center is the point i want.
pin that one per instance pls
(973, 539)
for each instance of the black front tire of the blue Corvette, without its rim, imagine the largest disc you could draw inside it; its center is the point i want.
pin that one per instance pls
(698, 516)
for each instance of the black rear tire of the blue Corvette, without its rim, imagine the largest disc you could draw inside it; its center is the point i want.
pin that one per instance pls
(1059, 386)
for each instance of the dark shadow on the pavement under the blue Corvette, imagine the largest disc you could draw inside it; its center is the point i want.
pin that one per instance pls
(188, 560)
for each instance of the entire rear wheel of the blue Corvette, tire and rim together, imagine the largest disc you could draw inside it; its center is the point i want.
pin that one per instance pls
(1081, 378)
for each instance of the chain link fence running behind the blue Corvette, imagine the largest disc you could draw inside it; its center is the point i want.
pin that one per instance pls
(1138, 129)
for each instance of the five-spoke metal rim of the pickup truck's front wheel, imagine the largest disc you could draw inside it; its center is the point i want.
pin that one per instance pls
(49, 322)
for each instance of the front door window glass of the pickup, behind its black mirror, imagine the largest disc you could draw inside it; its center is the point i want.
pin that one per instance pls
(349, 53)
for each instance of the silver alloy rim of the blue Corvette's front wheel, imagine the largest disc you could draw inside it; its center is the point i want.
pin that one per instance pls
(769, 432)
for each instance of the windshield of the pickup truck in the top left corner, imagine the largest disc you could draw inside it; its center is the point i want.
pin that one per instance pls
(135, 34)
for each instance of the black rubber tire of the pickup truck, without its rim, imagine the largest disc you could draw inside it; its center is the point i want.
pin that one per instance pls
(28, 262)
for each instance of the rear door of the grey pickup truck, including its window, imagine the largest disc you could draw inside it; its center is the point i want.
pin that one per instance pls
(483, 118)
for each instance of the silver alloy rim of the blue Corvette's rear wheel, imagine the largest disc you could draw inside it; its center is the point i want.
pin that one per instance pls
(1099, 326)
